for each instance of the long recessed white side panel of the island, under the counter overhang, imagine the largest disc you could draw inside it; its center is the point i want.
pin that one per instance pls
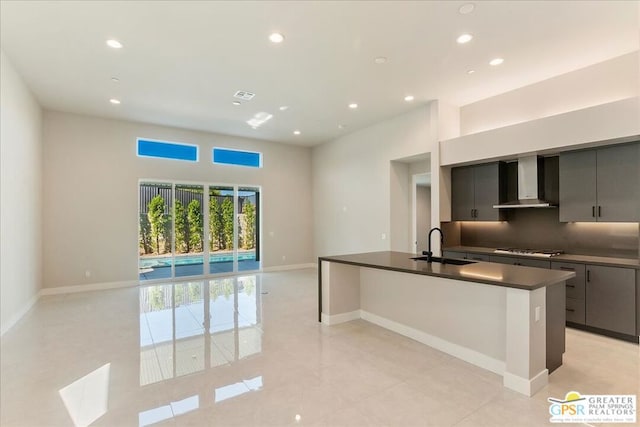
(464, 319)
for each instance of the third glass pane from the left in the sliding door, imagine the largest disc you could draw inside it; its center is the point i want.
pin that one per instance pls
(221, 241)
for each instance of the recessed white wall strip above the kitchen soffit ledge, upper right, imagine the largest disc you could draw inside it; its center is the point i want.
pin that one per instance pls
(601, 83)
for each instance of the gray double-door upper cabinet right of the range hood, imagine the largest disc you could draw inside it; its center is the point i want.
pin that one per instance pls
(601, 185)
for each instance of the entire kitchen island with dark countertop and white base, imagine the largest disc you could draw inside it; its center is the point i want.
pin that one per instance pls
(503, 318)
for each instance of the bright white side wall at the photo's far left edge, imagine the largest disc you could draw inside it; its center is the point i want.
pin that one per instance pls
(20, 196)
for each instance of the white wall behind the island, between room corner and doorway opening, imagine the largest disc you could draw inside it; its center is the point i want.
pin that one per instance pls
(352, 179)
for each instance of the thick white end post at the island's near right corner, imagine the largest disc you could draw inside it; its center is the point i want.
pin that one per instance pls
(525, 369)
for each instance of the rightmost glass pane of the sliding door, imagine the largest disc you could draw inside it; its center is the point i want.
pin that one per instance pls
(248, 233)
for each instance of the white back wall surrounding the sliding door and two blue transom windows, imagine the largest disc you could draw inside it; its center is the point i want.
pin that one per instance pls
(91, 177)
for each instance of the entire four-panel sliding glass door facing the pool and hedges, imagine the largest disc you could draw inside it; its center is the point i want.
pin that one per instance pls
(179, 229)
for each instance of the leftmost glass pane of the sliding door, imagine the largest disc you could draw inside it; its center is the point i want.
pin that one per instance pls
(155, 231)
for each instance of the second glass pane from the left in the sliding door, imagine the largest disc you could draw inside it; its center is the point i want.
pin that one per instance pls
(189, 230)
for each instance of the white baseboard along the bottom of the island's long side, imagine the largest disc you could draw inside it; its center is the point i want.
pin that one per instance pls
(475, 358)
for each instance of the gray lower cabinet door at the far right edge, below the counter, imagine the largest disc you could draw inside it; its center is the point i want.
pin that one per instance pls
(611, 299)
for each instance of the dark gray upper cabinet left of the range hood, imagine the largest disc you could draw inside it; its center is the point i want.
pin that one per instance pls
(474, 191)
